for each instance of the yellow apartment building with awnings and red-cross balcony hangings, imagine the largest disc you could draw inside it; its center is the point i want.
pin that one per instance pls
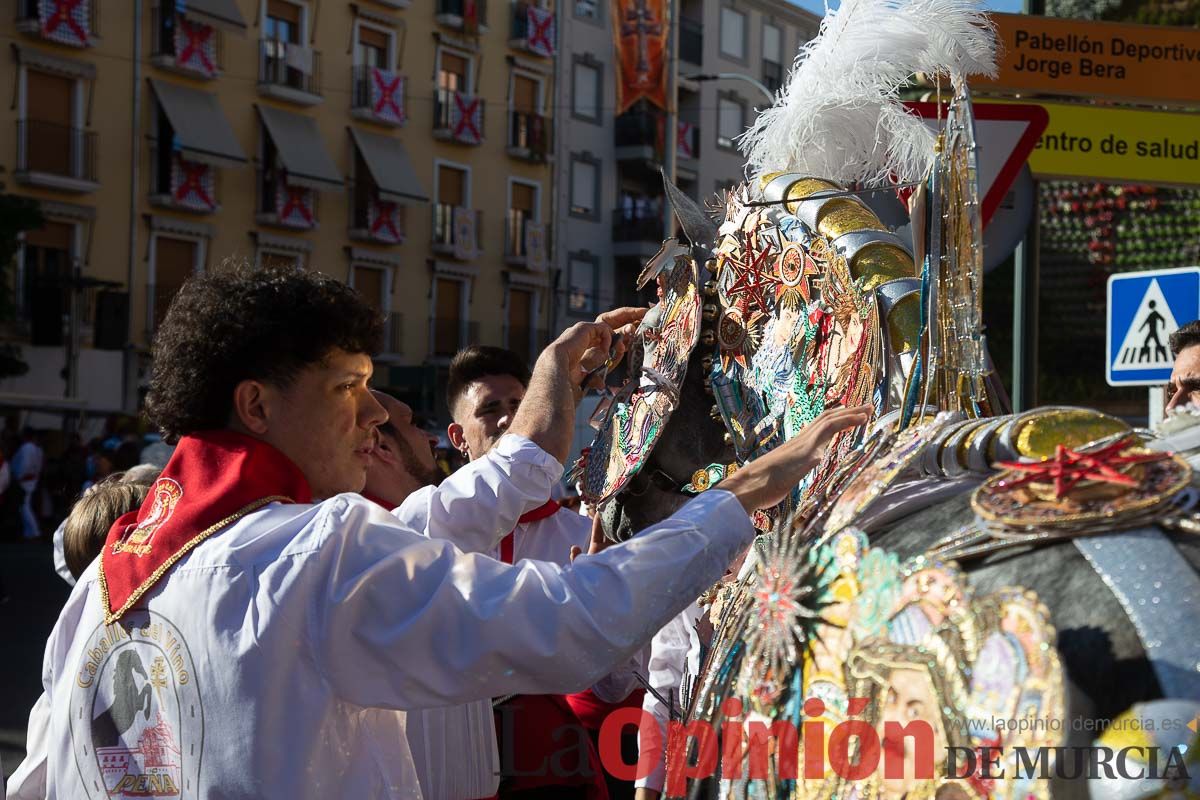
(405, 148)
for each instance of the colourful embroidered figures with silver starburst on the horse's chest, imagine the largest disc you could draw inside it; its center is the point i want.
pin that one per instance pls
(845, 633)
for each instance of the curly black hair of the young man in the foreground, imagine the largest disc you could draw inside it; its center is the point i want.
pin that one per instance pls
(249, 324)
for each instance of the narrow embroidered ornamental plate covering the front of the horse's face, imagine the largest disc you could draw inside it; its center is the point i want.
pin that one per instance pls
(635, 418)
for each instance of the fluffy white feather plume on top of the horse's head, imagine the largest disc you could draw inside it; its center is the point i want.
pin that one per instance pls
(841, 116)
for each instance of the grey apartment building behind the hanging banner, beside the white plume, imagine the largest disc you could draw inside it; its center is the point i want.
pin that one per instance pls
(610, 196)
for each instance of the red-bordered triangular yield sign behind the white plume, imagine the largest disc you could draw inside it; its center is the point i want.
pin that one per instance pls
(1006, 135)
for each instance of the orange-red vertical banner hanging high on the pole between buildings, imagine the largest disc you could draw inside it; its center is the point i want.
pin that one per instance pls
(640, 39)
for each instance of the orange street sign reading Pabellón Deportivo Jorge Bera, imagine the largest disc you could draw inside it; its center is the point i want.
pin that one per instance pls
(1149, 64)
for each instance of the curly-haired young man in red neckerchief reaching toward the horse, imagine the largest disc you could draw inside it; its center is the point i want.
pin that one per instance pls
(254, 629)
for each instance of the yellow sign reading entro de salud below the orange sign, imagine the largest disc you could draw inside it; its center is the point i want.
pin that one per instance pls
(1118, 145)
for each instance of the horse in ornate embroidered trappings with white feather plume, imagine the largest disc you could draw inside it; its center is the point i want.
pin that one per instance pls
(1025, 587)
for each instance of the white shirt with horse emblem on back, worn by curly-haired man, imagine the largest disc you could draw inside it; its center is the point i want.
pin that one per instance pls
(272, 660)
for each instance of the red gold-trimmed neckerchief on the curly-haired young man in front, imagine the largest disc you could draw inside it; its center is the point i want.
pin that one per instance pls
(214, 479)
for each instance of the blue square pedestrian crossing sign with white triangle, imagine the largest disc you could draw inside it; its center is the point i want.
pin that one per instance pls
(1144, 310)
